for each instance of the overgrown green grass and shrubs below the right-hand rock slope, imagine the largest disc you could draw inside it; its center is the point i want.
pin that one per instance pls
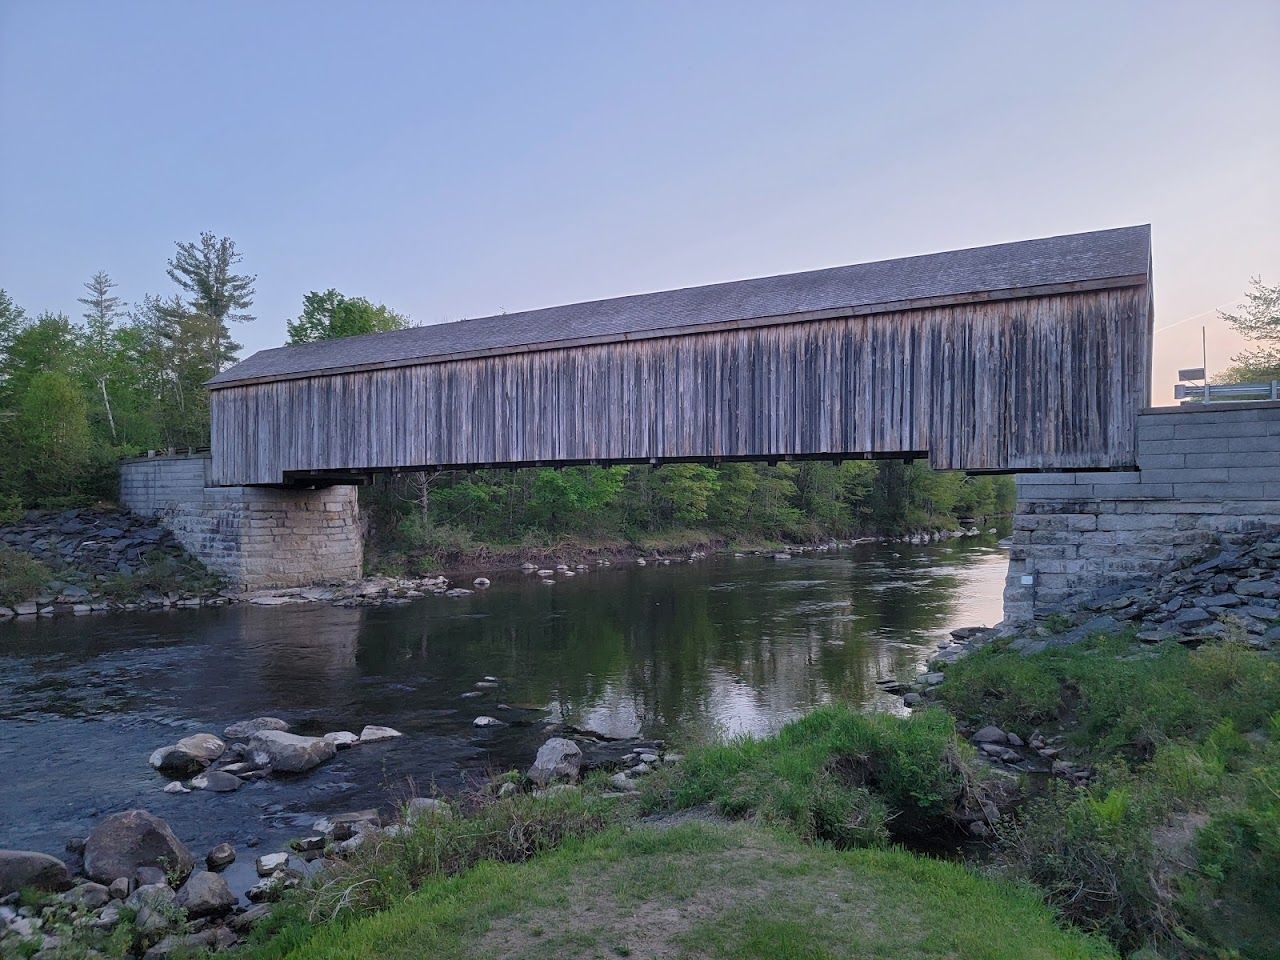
(1177, 842)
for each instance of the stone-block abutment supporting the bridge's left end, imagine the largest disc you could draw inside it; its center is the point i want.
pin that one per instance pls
(257, 537)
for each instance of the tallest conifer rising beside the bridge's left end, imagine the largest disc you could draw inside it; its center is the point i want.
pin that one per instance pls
(214, 296)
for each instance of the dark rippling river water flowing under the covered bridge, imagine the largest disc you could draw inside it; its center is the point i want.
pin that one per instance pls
(682, 652)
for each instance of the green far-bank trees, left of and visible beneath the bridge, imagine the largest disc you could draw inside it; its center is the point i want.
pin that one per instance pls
(80, 394)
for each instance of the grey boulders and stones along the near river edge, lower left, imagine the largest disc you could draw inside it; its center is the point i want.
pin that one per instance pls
(134, 866)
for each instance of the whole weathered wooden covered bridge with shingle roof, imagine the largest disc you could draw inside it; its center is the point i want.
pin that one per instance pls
(1013, 358)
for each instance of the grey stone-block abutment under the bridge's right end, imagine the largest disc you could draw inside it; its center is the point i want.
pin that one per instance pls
(1204, 476)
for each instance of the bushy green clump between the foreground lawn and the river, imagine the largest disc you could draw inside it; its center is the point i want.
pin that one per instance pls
(835, 775)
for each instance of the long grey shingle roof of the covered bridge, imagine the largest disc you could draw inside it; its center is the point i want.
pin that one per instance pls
(1037, 263)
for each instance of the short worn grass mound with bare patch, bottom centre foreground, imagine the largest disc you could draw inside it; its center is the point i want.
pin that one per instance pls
(650, 893)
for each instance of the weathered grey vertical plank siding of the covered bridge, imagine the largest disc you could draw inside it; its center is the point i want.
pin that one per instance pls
(1052, 382)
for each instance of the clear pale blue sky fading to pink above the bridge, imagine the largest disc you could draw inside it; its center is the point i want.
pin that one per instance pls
(465, 159)
